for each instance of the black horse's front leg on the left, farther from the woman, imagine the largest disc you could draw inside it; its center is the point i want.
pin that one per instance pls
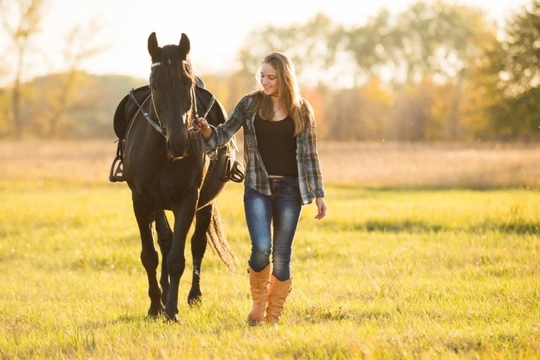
(149, 256)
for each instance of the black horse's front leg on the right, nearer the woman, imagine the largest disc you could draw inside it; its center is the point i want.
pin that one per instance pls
(176, 261)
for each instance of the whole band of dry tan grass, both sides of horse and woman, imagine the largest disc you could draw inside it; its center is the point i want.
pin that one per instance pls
(370, 165)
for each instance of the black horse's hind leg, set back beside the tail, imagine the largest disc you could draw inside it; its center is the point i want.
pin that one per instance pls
(198, 248)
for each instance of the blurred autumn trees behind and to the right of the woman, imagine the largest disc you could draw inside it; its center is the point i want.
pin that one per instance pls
(434, 72)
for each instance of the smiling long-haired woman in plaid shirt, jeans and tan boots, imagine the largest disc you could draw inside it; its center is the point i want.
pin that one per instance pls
(282, 174)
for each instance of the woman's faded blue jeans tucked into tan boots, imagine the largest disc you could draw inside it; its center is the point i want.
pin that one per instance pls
(282, 209)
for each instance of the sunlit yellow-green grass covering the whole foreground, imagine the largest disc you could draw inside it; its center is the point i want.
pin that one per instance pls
(388, 274)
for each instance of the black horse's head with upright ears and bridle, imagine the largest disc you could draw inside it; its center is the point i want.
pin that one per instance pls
(172, 83)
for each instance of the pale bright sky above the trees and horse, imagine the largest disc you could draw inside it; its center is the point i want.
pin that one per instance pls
(216, 28)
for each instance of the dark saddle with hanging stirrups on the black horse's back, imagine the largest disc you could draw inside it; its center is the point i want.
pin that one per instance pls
(125, 113)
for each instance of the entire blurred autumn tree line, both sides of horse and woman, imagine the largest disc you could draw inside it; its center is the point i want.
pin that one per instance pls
(433, 72)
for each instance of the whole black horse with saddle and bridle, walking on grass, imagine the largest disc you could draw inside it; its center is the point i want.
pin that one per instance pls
(166, 168)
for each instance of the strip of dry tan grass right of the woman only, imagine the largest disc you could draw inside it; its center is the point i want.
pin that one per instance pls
(420, 165)
